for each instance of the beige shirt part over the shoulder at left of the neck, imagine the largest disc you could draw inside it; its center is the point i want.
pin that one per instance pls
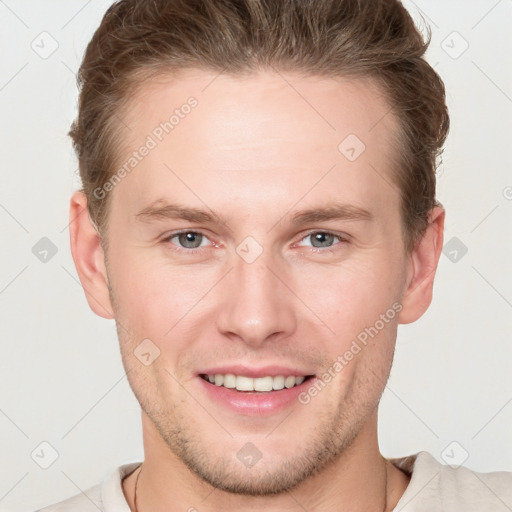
(106, 496)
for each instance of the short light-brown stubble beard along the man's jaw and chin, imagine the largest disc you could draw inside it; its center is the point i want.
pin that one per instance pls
(330, 439)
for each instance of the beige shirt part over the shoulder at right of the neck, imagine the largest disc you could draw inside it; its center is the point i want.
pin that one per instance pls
(434, 486)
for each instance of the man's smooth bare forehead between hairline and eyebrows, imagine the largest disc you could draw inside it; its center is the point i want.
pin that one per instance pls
(266, 130)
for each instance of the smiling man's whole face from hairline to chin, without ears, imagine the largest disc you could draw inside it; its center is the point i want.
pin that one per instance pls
(261, 292)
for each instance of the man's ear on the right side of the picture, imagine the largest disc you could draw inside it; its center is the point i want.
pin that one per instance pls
(421, 269)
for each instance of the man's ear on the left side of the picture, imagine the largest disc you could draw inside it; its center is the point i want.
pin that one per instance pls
(88, 256)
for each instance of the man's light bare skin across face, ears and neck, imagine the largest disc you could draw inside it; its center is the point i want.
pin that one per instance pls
(255, 152)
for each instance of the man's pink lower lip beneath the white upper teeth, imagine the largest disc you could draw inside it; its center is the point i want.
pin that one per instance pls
(254, 403)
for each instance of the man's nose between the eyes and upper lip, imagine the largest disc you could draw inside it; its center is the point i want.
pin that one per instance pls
(258, 306)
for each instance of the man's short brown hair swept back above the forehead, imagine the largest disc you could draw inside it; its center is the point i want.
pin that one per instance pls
(374, 39)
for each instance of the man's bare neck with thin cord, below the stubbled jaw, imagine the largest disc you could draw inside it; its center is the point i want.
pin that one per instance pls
(359, 480)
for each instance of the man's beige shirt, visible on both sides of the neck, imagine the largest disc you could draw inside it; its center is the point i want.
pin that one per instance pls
(433, 487)
